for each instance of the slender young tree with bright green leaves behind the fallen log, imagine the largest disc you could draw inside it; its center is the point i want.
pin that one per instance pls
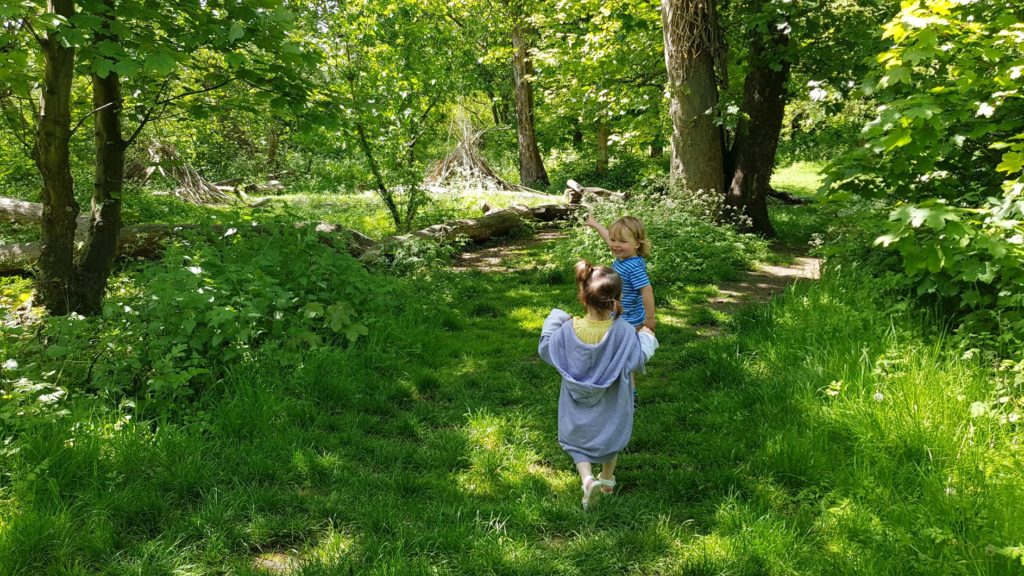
(390, 71)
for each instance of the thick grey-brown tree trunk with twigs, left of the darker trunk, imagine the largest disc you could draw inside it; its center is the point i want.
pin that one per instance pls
(691, 42)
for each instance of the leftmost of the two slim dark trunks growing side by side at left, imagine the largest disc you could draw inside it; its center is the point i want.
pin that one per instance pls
(53, 157)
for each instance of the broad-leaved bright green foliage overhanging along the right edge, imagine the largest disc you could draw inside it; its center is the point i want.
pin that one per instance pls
(948, 147)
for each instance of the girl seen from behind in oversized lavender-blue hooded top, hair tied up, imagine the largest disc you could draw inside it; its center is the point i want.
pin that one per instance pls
(596, 356)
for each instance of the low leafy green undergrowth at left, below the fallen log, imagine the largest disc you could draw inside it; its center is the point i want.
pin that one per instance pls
(176, 326)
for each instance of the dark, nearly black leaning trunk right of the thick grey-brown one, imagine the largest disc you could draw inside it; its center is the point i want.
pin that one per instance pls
(758, 133)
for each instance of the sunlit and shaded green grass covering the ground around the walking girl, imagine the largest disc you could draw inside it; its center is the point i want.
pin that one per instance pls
(430, 447)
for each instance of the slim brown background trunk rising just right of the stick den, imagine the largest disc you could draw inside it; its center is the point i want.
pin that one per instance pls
(532, 173)
